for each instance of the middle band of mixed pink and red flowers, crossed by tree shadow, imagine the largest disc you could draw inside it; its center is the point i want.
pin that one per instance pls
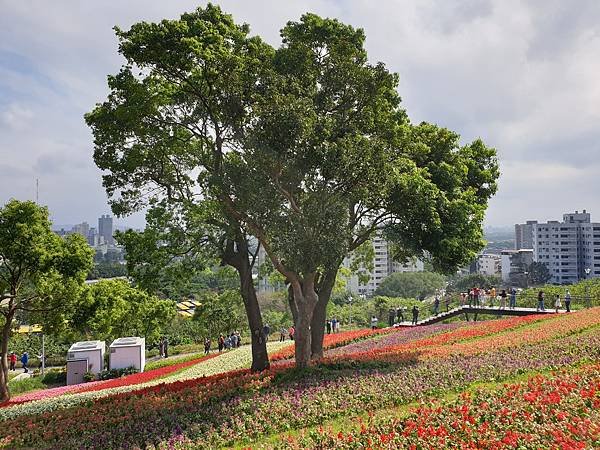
(223, 409)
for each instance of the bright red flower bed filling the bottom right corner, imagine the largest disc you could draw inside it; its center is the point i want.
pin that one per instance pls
(560, 411)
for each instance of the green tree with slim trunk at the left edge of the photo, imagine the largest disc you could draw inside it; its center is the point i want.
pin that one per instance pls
(41, 274)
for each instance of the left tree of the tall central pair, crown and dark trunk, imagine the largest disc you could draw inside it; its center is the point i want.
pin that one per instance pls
(183, 100)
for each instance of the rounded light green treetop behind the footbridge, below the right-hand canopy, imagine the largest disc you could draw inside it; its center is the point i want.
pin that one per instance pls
(411, 284)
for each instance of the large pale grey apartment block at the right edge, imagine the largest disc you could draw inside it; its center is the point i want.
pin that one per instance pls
(569, 249)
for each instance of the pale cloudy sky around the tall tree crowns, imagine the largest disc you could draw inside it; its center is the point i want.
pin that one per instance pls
(523, 76)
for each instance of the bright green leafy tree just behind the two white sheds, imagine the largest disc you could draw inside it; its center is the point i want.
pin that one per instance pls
(112, 308)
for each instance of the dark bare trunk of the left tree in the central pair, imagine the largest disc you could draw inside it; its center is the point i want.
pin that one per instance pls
(238, 258)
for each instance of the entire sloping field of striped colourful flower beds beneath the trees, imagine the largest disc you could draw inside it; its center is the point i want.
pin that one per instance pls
(219, 403)
